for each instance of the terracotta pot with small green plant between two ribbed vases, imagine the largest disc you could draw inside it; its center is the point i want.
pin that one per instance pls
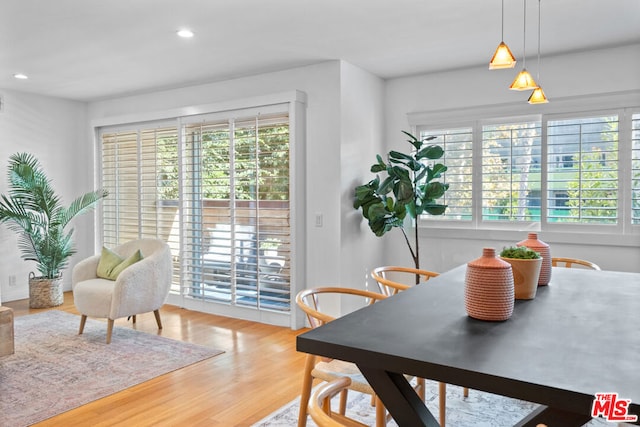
(525, 264)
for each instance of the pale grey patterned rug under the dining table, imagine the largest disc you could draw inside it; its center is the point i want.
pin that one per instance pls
(478, 410)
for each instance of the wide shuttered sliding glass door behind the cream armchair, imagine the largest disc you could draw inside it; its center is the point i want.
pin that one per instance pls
(217, 190)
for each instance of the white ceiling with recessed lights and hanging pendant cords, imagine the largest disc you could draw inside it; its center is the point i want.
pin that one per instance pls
(95, 49)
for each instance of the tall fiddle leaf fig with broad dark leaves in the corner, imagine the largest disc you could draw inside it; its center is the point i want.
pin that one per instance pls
(410, 186)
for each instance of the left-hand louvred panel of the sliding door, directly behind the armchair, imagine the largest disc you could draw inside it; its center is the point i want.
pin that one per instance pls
(140, 171)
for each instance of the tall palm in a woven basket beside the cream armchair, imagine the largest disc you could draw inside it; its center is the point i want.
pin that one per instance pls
(33, 210)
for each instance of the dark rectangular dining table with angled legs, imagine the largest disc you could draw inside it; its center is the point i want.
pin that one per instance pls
(578, 337)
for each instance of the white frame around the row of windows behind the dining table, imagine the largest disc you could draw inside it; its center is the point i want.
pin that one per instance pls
(622, 104)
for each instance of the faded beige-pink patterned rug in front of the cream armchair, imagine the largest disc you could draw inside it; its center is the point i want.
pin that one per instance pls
(54, 369)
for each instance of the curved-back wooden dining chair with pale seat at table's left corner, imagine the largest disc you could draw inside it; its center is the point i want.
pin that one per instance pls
(311, 302)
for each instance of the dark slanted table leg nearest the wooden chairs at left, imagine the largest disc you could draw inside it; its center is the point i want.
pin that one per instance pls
(399, 398)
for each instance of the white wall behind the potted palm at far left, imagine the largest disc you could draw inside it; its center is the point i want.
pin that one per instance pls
(54, 131)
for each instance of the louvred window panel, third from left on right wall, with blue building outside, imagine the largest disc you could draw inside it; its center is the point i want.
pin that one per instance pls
(583, 170)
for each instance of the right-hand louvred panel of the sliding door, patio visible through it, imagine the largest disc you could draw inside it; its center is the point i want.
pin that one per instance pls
(236, 204)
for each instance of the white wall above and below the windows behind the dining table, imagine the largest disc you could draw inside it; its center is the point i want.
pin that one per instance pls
(579, 74)
